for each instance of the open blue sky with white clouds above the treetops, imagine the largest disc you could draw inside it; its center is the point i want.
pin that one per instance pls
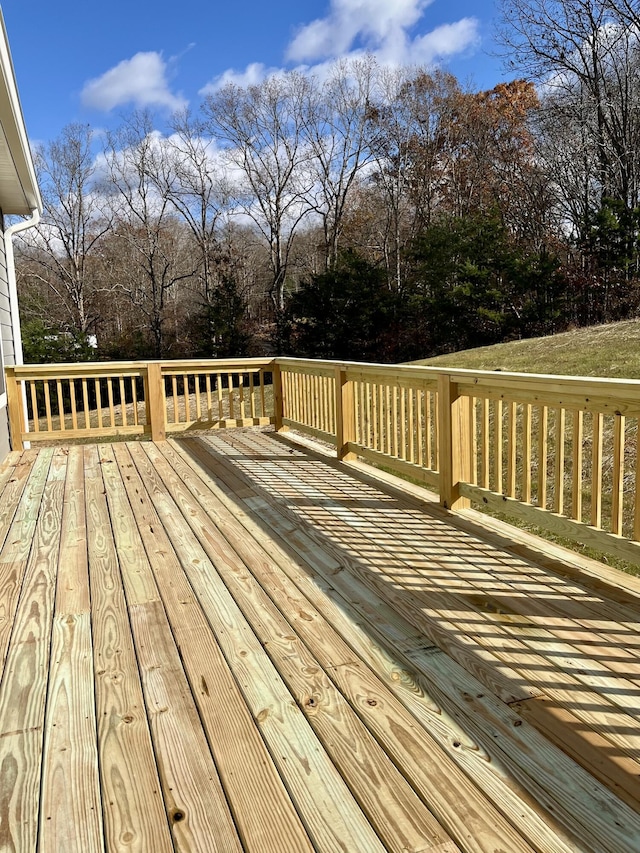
(91, 63)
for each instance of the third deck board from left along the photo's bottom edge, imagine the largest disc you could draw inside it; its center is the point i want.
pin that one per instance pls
(134, 813)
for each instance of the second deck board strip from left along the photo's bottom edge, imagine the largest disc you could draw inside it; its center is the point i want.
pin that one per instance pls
(70, 813)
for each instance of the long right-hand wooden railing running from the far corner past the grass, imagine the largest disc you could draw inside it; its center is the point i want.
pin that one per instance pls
(560, 453)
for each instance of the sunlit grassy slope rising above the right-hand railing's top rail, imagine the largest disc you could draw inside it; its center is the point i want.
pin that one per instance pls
(612, 350)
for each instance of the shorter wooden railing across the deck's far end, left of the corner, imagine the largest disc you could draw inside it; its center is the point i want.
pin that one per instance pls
(70, 401)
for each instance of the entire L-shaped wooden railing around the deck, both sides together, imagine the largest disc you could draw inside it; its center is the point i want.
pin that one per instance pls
(558, 452)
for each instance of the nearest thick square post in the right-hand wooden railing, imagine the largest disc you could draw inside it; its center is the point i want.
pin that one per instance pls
(454, 429)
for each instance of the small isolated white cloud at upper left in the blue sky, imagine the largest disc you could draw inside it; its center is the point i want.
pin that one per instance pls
(141, 80)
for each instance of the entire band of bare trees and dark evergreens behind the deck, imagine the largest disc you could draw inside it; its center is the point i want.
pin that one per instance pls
(376, 214)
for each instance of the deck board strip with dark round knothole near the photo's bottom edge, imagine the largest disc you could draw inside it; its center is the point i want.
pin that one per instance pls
(194, 799)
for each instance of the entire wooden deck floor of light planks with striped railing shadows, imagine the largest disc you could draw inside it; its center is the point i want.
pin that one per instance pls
(230, 643)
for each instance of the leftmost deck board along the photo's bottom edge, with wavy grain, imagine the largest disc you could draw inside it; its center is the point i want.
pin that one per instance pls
(24, 683)
